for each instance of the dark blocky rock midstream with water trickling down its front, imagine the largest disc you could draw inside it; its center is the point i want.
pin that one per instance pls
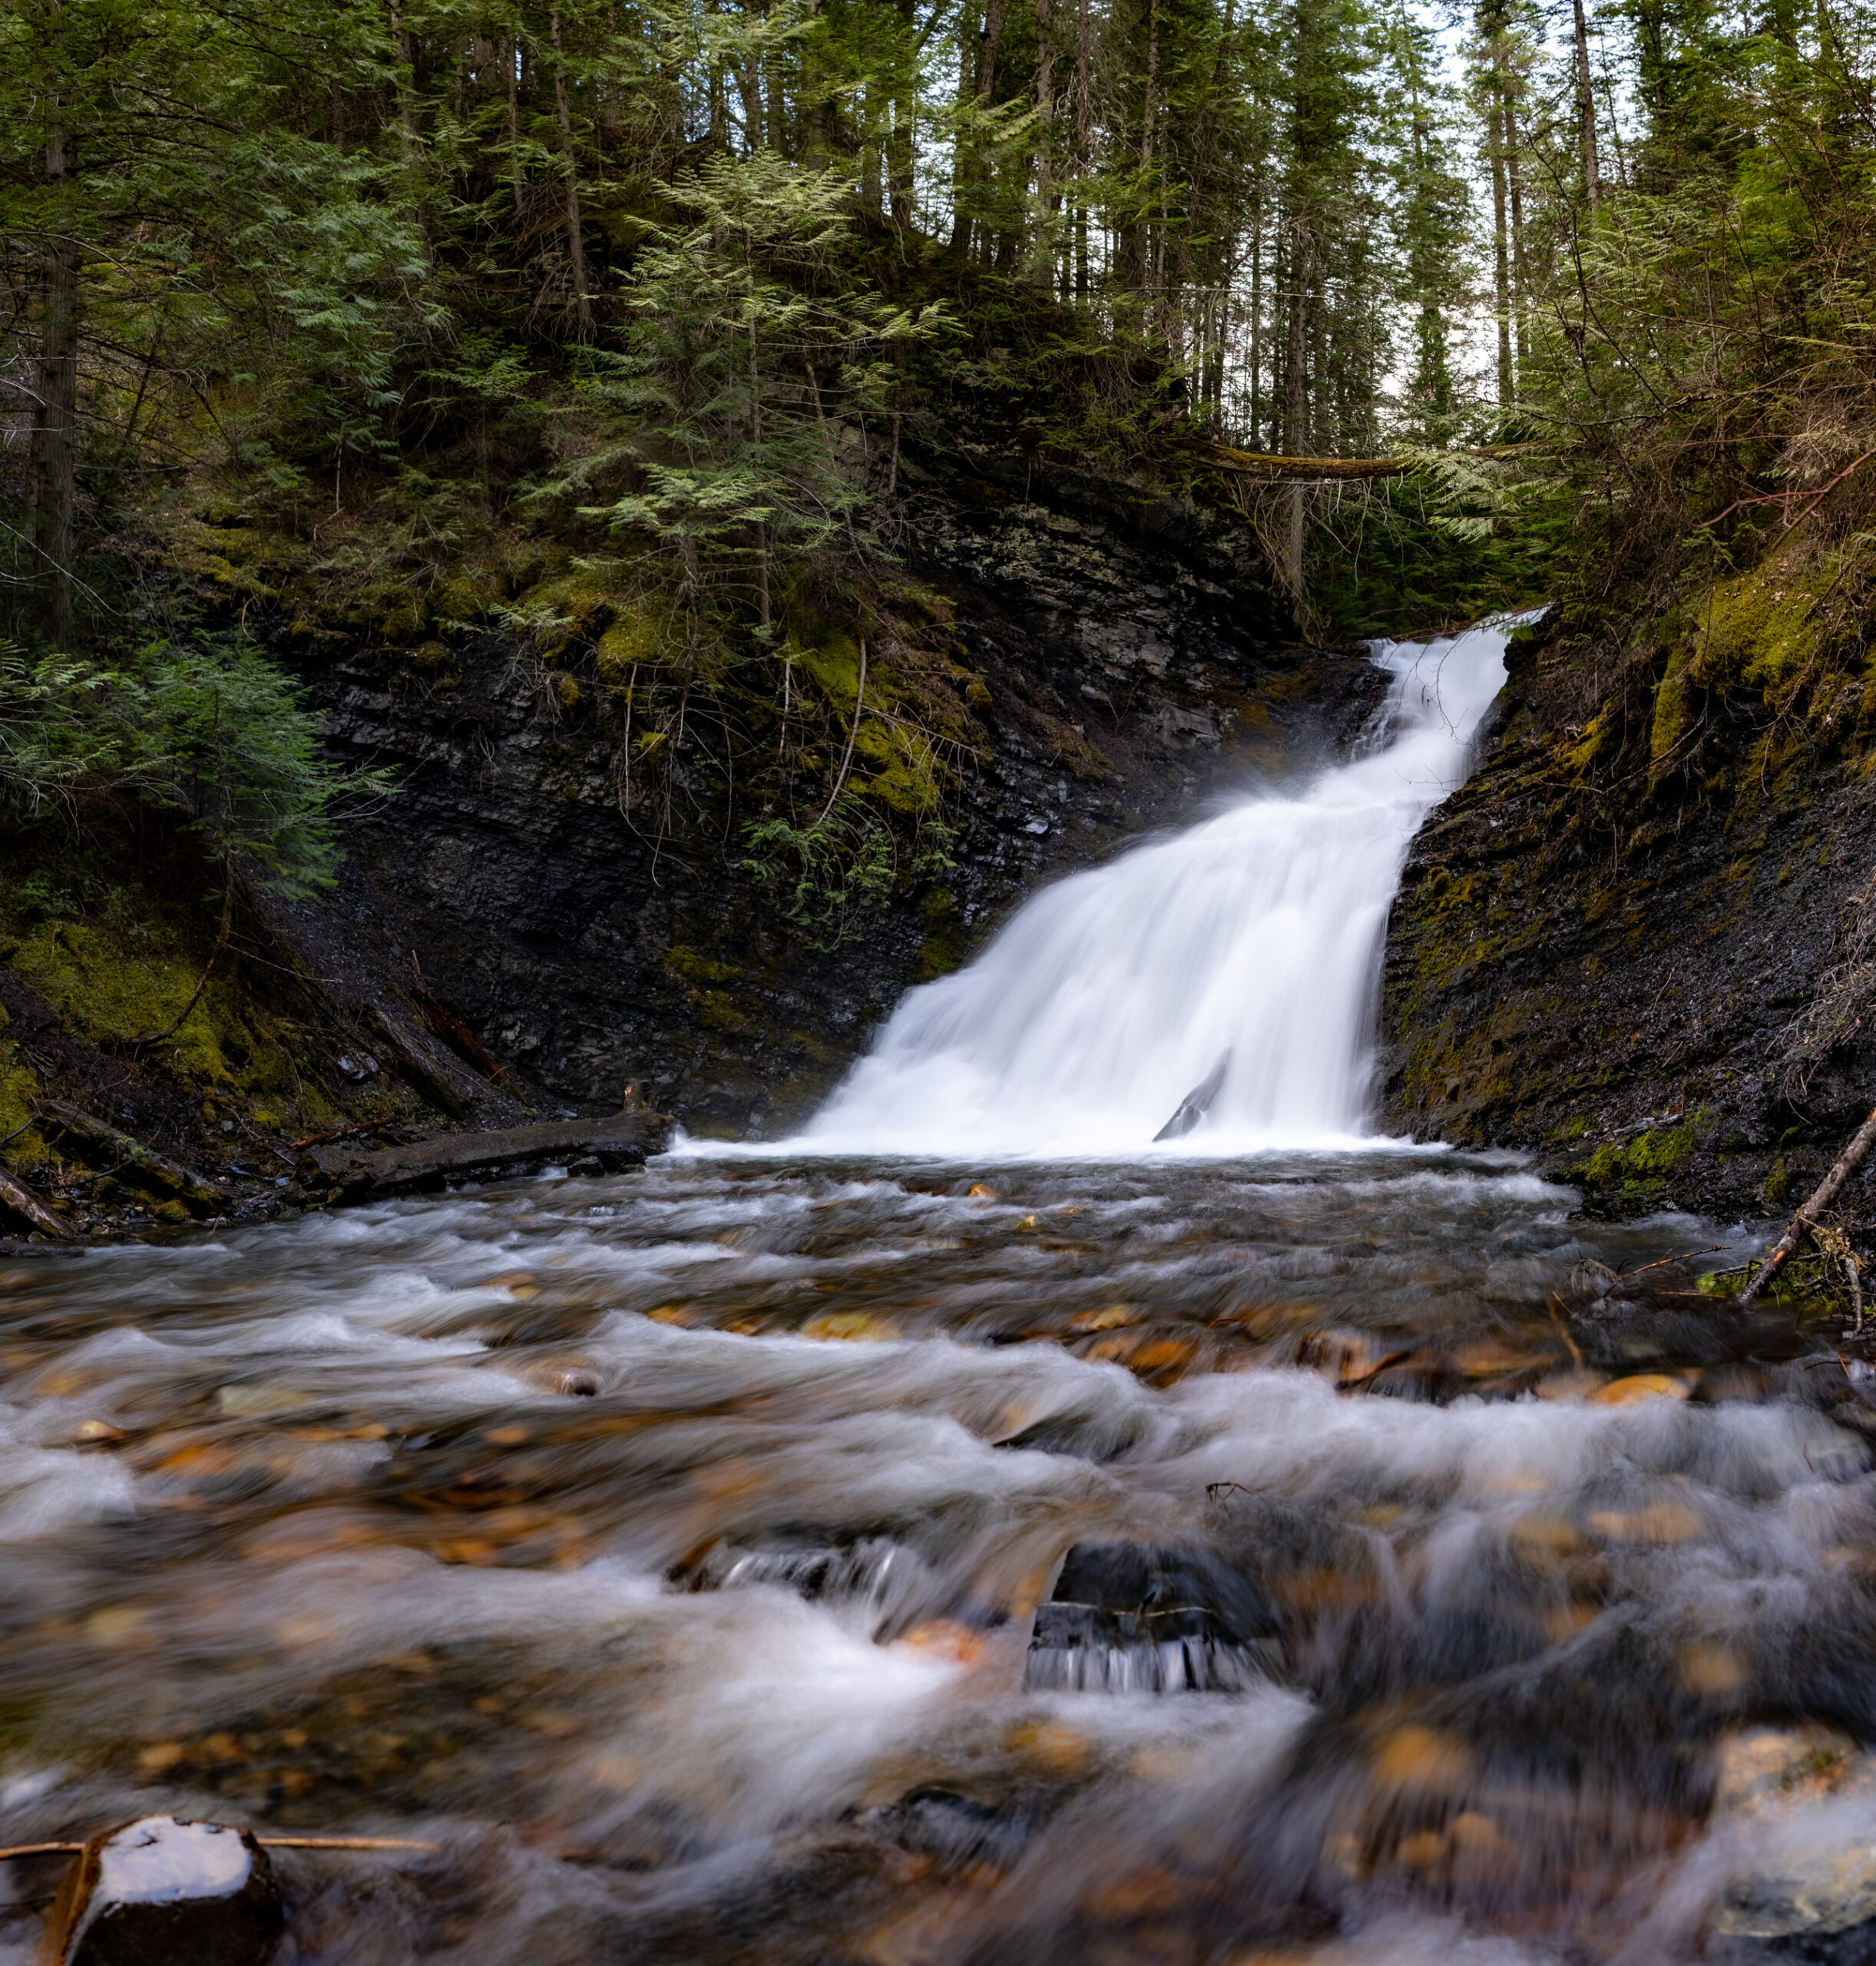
(1147, 1619)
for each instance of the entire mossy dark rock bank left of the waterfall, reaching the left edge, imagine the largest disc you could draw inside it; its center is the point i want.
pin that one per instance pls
(599, 868)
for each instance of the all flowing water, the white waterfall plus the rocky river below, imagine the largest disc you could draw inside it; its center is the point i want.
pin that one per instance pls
(1026, 1546)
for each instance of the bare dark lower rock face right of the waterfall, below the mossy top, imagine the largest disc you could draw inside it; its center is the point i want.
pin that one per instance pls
(1625, 1010)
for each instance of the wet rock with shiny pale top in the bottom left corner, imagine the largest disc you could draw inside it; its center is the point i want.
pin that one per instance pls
(160, 1892)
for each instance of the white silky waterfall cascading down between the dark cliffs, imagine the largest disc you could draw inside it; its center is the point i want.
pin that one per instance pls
(1116, 992)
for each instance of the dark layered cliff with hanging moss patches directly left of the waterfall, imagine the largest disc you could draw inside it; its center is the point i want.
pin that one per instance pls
(1069, 669)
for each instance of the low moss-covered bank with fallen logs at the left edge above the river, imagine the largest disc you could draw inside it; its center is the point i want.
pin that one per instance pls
(103, 945)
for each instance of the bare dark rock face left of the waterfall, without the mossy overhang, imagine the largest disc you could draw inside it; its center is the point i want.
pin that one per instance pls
(1128, 660)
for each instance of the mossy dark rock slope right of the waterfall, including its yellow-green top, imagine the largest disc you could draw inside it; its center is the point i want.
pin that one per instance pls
(1631, 941)
